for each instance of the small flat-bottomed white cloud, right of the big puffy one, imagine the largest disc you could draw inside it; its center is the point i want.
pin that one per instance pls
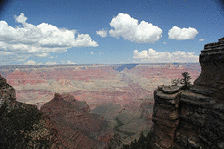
(182, 34)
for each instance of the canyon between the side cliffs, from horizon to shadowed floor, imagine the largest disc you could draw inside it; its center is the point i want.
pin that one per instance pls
(109, 102)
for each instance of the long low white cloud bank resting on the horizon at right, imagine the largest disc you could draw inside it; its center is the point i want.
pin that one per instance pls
(152, 56)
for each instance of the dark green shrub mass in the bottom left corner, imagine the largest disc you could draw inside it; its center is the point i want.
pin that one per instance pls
(24, 127)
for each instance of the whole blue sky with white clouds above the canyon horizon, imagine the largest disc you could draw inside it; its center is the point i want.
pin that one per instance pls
(48, 32)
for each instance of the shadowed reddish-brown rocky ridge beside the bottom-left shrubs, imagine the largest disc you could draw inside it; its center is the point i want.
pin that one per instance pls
(76, 127)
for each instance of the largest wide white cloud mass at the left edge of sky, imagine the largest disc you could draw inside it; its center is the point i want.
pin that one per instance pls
(40, 39)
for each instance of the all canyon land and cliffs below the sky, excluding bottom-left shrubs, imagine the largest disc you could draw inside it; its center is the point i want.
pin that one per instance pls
(112, 106)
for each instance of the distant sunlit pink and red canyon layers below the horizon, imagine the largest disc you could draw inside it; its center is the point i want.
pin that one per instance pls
(95, 84)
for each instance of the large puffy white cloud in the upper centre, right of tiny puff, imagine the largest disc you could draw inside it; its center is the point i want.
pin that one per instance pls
(129, 28)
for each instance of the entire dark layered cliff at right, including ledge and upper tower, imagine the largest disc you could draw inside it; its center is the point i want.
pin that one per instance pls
(193, 118)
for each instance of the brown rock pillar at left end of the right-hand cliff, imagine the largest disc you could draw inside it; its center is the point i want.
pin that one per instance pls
(165, 116)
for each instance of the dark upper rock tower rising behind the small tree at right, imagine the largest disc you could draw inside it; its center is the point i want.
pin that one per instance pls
(212, 64)
